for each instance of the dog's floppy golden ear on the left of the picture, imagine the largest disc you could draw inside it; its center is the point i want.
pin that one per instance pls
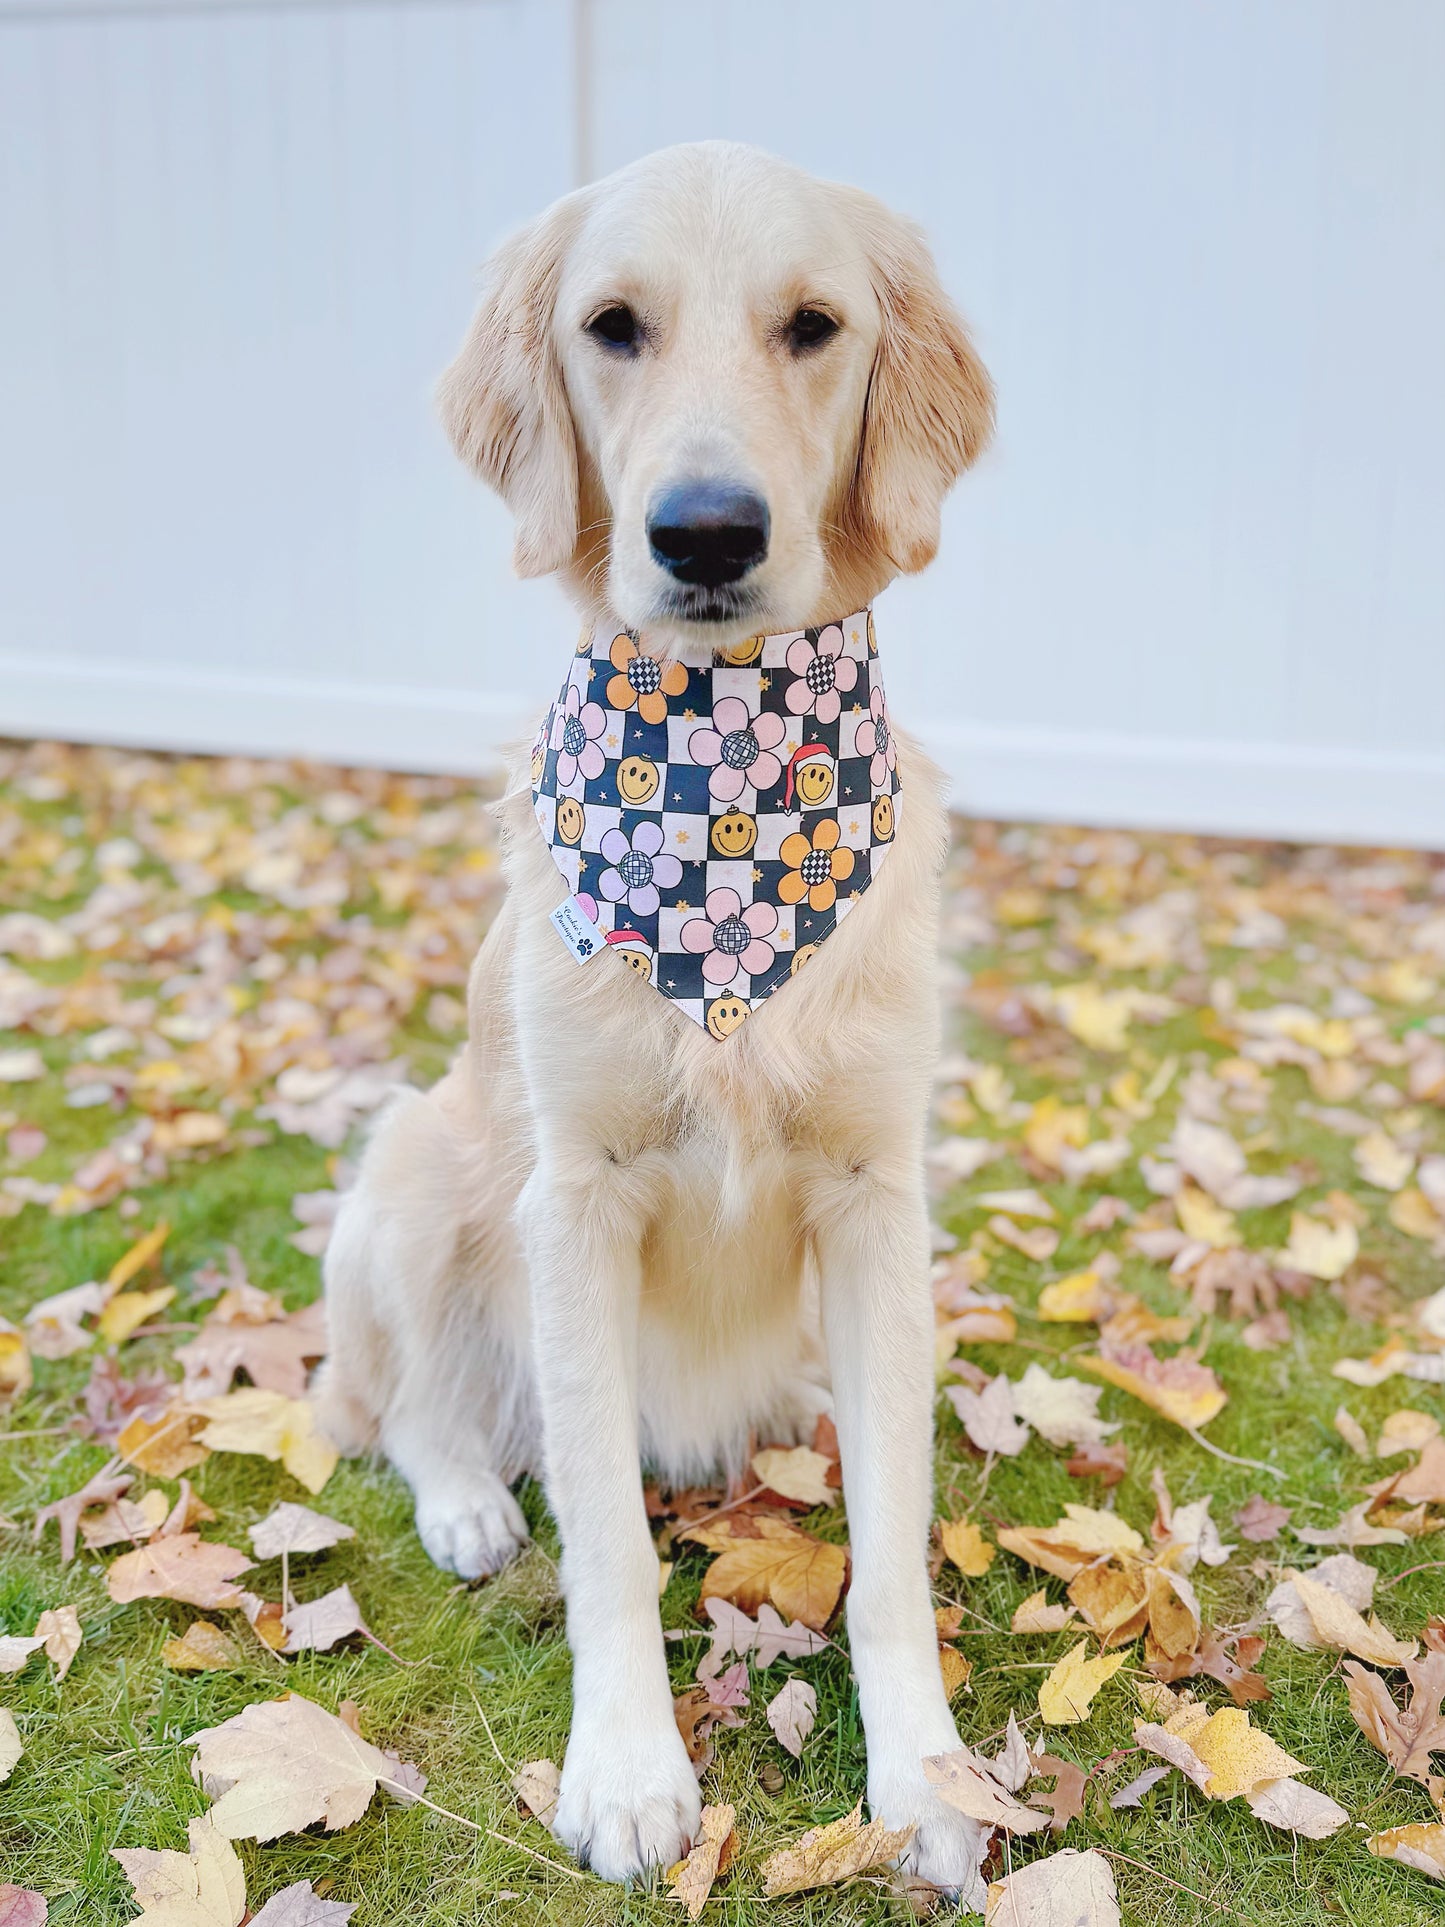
(504, 400)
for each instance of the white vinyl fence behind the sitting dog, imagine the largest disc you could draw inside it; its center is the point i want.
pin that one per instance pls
(1201, 581)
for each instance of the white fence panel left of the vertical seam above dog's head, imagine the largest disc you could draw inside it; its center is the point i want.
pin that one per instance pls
(240, 244)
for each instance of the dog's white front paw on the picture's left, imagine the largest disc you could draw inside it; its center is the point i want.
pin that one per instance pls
(629, 1805)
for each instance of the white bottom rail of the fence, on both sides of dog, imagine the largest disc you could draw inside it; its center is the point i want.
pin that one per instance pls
(1230, 789)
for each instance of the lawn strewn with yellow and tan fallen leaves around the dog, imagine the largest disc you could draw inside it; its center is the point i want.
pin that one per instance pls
(1190, 1196)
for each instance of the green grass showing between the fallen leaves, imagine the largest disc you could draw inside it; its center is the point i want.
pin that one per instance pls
(107, 1764)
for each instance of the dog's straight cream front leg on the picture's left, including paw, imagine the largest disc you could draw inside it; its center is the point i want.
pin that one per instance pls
(629, 1799)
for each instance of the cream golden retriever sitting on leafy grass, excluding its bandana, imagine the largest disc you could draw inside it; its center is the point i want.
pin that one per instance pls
(608, 1238)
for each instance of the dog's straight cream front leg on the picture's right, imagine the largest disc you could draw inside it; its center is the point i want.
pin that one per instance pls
(872, 1236)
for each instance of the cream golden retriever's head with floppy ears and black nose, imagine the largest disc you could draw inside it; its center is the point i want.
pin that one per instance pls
(720, 394)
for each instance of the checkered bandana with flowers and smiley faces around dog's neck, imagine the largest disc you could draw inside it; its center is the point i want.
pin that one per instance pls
(716, 826)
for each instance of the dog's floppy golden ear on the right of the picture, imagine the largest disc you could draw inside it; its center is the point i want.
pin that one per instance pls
(932, 406)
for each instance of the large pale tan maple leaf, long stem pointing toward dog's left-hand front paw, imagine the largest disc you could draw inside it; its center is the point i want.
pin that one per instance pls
(286, 1764)
